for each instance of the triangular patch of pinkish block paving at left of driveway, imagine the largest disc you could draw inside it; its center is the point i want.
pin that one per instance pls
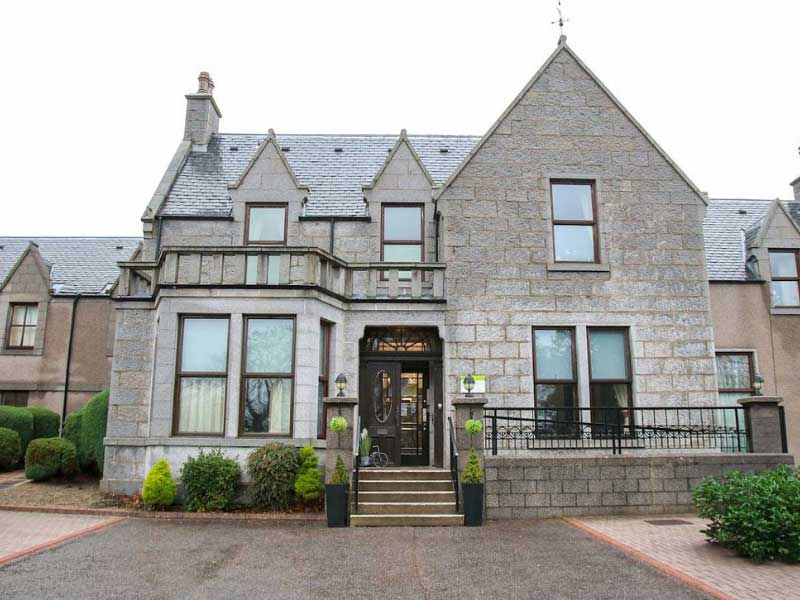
(22, 532)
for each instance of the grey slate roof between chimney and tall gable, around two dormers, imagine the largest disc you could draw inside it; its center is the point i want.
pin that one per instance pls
(335, 179)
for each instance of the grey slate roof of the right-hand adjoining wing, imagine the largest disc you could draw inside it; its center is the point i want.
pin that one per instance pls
(729, 225)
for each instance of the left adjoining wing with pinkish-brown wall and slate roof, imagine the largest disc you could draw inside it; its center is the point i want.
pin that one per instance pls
(57, 318)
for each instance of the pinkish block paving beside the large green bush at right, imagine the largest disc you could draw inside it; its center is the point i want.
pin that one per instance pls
(684, 548)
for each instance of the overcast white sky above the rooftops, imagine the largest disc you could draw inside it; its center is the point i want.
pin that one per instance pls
(92, 102)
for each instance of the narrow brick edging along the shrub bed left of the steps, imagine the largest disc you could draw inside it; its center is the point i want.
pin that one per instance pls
(173, 516)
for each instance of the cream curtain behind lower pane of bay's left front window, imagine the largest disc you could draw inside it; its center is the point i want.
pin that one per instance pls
(202, 404)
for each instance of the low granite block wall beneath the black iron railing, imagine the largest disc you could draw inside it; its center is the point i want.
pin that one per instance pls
(533, 487)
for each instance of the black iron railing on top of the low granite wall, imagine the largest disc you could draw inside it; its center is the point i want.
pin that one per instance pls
(615, 429)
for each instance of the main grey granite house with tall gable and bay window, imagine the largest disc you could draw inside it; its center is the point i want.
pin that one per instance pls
(560, 256)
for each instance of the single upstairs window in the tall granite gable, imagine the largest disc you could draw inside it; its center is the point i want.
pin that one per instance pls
(574, 221)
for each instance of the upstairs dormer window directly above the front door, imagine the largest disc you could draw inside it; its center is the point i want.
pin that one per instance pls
(402, 234)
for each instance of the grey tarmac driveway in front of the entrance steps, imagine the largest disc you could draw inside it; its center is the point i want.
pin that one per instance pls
(151, 559)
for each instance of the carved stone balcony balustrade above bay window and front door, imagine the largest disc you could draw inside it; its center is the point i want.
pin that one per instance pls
(282, 268)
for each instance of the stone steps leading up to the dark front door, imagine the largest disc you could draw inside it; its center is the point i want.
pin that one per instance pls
(406, 497)
